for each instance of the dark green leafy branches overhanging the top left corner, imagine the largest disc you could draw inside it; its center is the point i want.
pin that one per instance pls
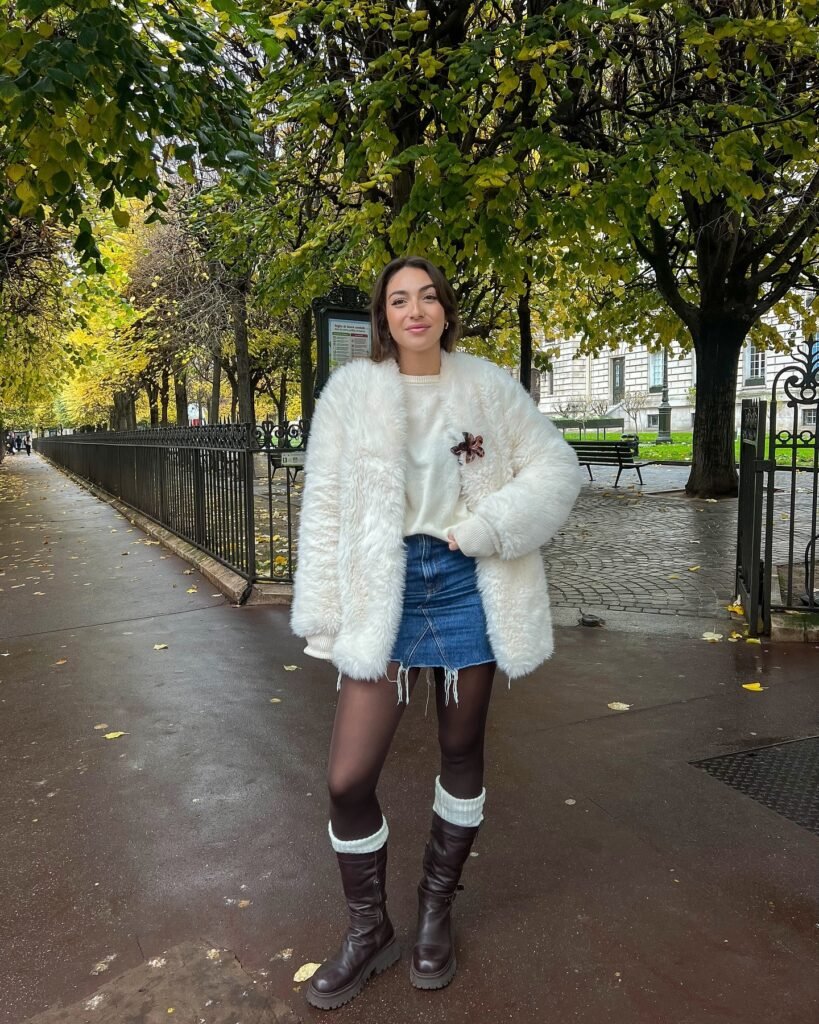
(101, 101)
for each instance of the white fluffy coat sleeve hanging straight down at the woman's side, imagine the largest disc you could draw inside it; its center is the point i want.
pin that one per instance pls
(317, 604)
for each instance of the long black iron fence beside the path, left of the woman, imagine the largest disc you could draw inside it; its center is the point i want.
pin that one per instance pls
(231, 491)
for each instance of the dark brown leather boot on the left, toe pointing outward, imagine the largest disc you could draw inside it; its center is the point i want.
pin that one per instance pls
(370, 946)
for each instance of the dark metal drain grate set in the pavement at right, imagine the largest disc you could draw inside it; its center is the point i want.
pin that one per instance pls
(785, 778)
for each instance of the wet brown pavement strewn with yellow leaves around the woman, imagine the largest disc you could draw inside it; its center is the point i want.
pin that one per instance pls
(615, 880)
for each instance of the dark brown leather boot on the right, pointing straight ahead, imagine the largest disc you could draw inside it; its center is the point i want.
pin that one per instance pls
(434, 958)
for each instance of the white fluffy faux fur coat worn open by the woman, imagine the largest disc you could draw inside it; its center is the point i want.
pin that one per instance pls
(351, 576)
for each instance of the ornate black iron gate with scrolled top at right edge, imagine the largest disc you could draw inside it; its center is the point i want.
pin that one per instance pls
(779, 490)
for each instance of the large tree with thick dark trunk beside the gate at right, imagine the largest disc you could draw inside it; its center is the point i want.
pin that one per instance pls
(700, 125)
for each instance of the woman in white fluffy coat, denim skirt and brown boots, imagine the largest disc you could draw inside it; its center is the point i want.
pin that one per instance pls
(432, 482)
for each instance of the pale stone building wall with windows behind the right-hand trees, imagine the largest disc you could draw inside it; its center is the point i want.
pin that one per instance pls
(583, 377)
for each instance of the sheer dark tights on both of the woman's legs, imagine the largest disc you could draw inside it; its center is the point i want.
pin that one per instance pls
(367, 717)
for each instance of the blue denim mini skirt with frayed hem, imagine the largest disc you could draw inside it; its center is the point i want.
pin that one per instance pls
(443, 621)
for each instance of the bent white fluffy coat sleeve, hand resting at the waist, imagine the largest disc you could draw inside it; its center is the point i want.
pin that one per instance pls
(531, 508)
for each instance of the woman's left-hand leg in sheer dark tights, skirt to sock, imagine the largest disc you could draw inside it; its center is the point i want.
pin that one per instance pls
(367, 717)
